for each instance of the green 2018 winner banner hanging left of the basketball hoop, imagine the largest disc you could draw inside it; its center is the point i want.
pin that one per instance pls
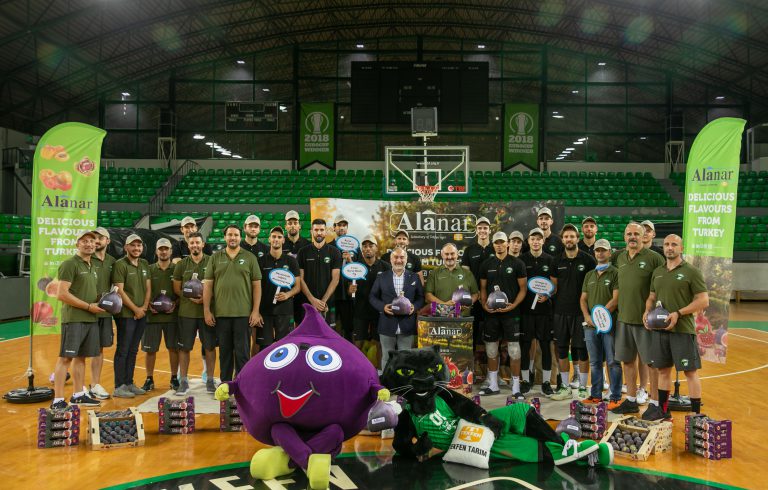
(316, 135)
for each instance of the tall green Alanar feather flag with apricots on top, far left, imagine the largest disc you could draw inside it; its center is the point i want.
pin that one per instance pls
(65, 194)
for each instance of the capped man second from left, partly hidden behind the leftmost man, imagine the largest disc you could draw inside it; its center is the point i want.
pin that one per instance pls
(103, 262)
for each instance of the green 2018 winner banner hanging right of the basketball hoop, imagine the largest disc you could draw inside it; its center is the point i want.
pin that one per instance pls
(521, 136)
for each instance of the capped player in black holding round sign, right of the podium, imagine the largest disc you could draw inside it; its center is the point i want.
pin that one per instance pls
(537, 322)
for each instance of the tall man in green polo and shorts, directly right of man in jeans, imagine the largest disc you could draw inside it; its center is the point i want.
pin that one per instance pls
(636, 265)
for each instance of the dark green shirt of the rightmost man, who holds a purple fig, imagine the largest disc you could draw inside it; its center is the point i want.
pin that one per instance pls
(676, 289)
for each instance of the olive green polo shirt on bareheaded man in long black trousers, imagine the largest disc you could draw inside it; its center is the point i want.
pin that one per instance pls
(233, 282)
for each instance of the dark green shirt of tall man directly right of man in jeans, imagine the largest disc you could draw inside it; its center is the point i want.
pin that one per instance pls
(635, 283)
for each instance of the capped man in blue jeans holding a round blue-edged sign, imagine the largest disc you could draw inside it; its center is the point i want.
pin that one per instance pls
(601, 287)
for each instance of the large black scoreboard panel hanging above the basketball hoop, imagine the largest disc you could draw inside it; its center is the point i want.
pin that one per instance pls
(384, 92)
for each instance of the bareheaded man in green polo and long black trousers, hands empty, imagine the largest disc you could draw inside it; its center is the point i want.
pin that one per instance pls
(233, 282)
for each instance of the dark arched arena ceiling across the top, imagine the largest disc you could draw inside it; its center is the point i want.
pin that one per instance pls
(58, 56)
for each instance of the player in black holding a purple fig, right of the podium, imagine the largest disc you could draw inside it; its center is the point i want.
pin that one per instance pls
(504, 273)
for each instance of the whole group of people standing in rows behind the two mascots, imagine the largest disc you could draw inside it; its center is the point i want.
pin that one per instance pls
(242, 311)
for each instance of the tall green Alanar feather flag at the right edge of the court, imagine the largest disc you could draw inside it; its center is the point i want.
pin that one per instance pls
(711, 185)
